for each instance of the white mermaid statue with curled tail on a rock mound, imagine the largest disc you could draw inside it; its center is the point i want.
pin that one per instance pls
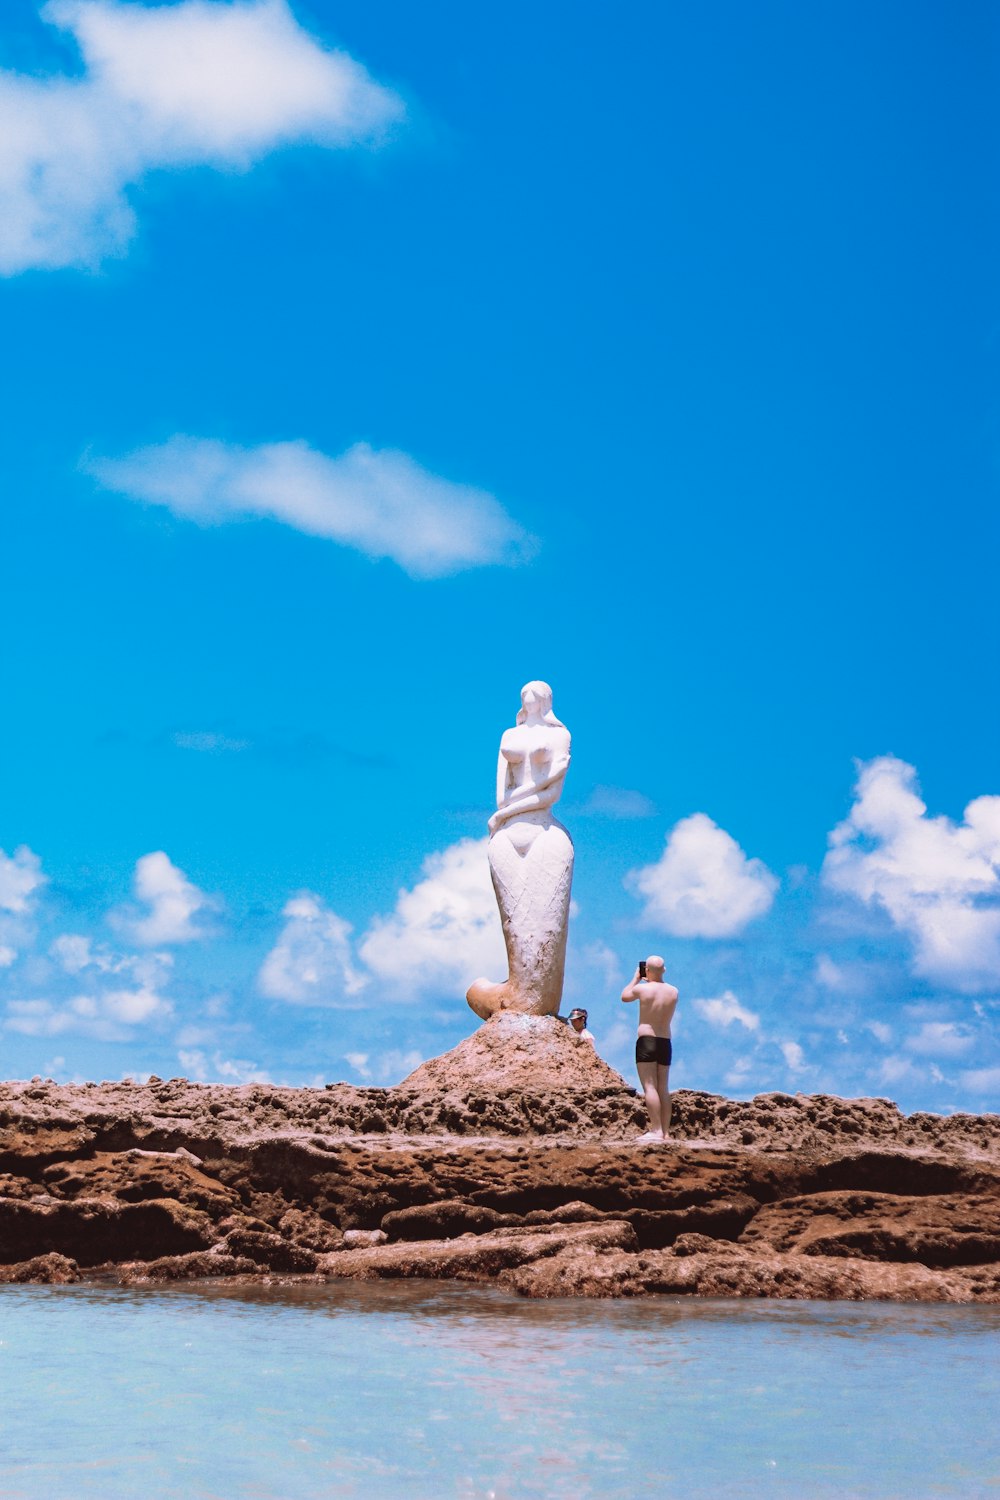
(531, 862)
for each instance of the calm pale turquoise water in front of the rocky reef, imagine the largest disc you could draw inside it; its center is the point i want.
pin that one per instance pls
(424, 1391)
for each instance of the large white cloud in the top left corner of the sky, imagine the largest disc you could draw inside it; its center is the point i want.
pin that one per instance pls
(178, 86)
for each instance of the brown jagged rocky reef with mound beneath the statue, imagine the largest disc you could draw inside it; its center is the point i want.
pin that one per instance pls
(512, 1162)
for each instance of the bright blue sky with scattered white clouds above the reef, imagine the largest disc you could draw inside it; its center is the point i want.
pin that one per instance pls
(362, 362)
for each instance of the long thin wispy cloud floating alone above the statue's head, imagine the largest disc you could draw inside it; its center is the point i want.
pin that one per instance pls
(379, 502)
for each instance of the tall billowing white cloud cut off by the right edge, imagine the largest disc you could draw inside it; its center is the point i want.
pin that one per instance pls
(938, 881)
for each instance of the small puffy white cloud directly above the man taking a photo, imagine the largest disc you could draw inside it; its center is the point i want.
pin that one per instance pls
(704, 886)
